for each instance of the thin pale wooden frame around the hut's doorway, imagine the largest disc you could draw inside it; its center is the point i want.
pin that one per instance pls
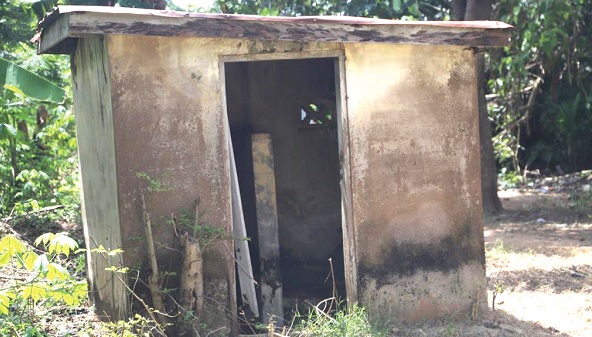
(343, 136)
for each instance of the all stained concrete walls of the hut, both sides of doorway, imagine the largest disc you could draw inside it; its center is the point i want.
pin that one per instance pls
(414, 163)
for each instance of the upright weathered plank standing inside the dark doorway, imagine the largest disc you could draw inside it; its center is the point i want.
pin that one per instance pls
(267, 225)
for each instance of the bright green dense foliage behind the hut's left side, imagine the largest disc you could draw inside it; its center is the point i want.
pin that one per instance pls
(38, 162)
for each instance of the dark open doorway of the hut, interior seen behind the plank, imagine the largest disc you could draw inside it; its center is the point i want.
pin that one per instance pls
(295, 103)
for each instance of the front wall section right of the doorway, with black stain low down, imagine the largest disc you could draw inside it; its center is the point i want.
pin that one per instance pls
(415, 179)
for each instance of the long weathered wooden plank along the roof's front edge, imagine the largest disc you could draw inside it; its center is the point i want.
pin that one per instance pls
(100, 23)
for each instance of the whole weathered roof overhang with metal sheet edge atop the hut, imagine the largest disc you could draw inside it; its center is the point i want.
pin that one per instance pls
(60, 29)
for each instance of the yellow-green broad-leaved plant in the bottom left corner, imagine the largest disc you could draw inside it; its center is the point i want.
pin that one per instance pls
(41, 279)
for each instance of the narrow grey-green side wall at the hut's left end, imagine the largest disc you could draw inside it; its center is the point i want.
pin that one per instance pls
(94, 131)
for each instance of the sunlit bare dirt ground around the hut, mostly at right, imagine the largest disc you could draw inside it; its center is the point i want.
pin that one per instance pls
(539, 266)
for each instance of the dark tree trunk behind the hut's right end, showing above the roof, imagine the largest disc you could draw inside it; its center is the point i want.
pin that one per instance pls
(468, 10)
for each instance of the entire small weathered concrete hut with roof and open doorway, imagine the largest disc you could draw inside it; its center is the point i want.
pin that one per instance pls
(350, 145)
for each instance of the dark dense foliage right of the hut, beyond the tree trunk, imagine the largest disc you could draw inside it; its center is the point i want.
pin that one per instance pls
(540, 86)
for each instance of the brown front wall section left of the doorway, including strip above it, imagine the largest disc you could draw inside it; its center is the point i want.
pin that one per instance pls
(169, 120)
